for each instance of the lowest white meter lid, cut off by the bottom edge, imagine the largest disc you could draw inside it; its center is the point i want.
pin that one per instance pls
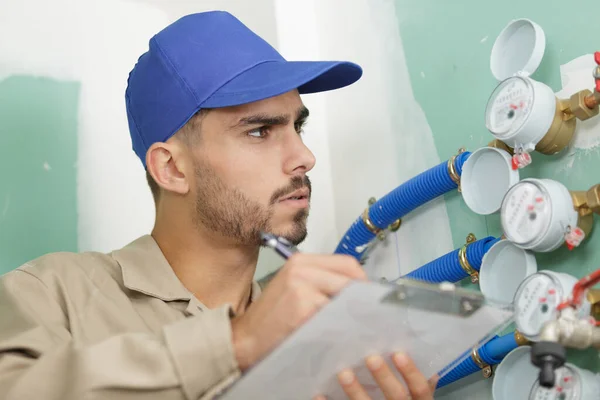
(515, 376)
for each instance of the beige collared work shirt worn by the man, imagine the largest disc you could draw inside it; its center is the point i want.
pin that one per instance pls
(110, 326)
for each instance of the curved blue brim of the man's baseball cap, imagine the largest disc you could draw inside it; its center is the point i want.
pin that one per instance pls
(273, 78)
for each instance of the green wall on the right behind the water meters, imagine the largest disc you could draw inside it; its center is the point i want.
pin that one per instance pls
(447, 54)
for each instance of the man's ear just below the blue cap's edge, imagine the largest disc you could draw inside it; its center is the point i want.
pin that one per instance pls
(166, 164)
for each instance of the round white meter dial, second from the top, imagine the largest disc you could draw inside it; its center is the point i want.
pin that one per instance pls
(526, 213)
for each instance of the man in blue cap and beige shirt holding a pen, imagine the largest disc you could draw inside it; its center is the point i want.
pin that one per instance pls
(216, 118)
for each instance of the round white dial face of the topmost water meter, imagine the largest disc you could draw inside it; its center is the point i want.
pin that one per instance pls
(509, 106)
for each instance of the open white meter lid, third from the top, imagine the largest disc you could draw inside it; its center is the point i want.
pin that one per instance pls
(503, 268)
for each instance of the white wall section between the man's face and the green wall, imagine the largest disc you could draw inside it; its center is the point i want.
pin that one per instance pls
(377, 119)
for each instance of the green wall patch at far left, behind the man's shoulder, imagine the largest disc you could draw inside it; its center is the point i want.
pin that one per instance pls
(38, 187)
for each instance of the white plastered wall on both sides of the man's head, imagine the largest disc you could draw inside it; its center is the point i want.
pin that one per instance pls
(97, 44)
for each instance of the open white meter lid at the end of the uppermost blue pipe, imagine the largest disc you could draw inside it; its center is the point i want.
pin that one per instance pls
(486, 177)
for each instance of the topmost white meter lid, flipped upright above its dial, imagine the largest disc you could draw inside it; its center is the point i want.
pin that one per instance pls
(519, 49)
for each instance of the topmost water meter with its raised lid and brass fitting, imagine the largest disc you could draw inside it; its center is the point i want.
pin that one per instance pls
(523, 113)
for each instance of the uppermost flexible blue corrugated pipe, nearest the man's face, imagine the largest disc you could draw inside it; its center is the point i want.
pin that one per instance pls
(405, 198)
